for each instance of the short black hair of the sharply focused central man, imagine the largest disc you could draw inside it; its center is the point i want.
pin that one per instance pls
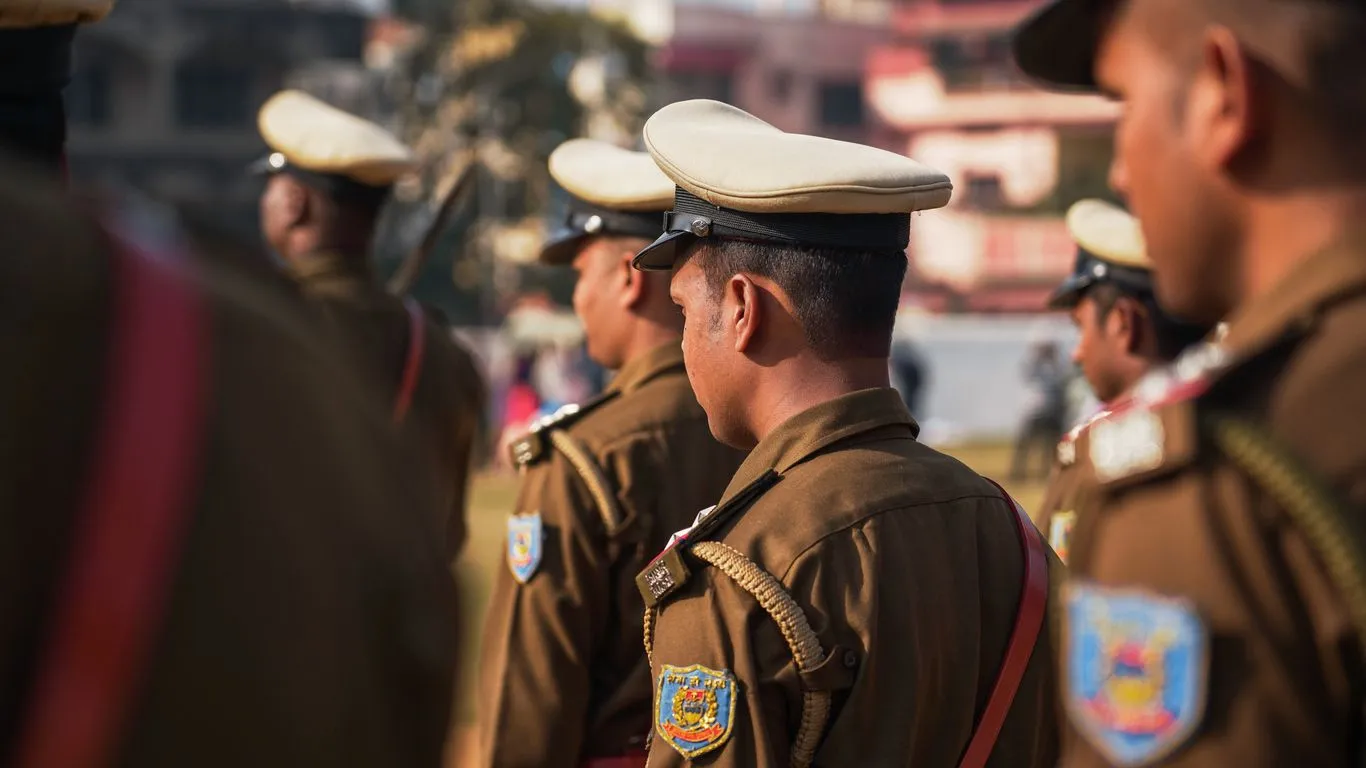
(845, 300)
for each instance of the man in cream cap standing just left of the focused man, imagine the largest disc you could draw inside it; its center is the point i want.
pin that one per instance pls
(604, 484)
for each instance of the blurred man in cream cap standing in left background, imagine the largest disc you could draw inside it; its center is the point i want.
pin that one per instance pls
(330, 174)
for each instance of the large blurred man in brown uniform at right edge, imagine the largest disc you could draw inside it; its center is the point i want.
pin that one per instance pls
(1218, 603)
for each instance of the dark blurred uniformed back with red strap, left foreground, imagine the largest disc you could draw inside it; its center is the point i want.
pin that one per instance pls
(214, 550)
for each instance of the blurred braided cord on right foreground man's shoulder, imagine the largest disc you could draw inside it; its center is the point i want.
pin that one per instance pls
(1311, 506)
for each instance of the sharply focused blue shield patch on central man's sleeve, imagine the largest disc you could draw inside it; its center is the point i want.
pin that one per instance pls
(695, 709)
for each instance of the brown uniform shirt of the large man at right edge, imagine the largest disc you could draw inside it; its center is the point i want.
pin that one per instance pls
(1204, 627)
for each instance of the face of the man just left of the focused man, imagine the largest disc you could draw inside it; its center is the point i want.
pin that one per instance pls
(599, 297)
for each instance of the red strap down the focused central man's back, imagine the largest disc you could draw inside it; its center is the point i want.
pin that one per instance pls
(1029, 620)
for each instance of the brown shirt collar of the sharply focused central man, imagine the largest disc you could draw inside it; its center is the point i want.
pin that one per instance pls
(820, 427)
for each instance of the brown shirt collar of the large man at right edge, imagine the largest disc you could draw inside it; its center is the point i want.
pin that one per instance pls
(1297, 300)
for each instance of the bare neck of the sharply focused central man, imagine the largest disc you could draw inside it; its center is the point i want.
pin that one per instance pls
(798, 385)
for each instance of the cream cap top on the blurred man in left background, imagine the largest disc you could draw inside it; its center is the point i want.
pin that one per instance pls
(322, 139)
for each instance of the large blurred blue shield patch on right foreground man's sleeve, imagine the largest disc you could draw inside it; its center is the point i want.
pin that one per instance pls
(1136, 669)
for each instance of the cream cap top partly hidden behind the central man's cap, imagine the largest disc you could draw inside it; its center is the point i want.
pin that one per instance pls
(607, 176)
